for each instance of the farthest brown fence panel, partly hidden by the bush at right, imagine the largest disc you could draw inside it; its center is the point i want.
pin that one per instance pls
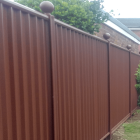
(135, 60)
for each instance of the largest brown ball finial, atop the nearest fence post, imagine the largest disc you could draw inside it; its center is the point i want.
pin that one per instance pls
(46, 6)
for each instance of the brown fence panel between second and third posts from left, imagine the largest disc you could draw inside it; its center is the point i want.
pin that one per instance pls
(119, 75)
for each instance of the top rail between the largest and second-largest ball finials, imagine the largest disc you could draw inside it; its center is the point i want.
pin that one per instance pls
(78, 30)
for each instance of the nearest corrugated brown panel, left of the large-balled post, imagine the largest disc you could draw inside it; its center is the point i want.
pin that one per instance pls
(25, 77)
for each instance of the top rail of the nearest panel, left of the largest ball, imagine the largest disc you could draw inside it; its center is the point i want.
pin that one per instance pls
(24, 8)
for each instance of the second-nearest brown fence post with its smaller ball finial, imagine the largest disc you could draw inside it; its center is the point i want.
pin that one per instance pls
(107, 36)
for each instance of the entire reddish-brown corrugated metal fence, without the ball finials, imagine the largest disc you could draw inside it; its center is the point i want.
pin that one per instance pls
(58, 82)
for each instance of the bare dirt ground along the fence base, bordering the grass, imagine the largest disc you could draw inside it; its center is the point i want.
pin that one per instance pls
(120, 134)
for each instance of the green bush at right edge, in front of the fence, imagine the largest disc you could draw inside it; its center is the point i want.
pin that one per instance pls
(138, 83)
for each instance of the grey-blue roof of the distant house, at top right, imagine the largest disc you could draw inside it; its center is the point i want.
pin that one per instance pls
(130, 22)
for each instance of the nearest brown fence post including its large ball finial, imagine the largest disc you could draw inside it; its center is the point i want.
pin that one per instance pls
(47, 7)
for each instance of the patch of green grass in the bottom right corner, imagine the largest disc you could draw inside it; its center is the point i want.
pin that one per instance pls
(132, 130)
